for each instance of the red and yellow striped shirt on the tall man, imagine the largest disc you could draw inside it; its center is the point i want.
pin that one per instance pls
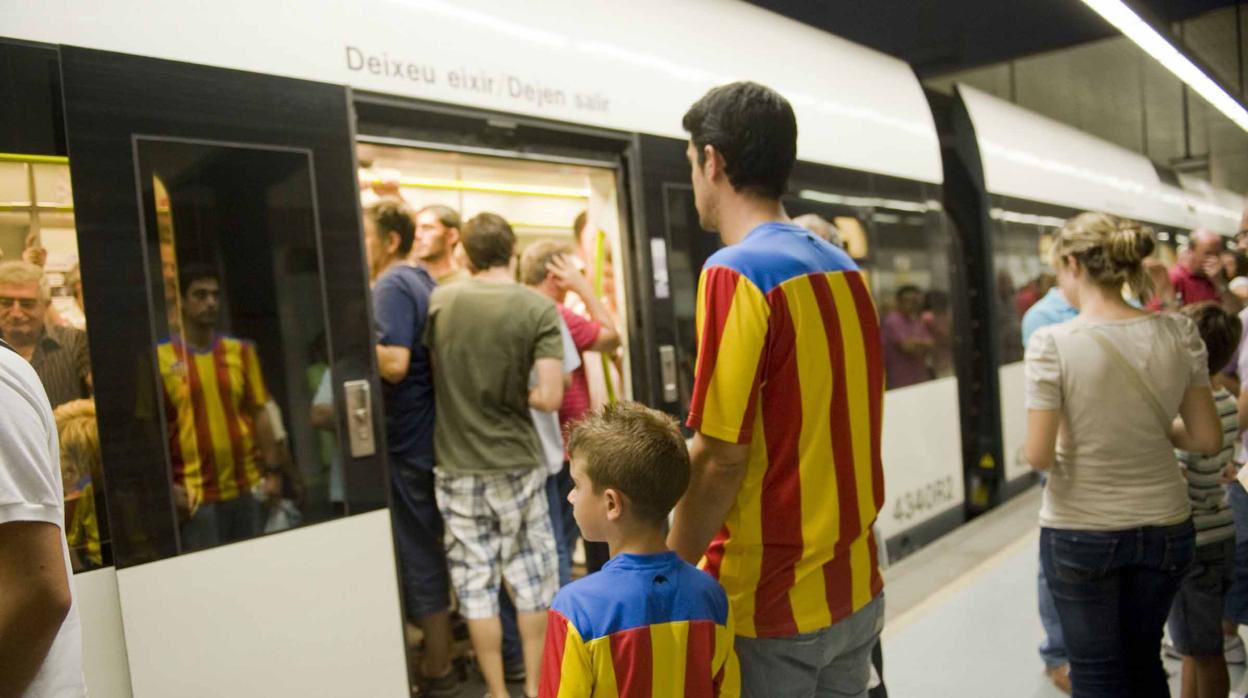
(791, 363)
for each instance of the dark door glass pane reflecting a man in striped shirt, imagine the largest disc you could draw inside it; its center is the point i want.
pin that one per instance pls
(241, 350)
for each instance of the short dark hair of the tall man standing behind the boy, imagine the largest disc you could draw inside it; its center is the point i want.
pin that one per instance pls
(756, 132)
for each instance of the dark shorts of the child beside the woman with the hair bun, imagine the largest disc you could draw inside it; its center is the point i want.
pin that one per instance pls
(1196, 617)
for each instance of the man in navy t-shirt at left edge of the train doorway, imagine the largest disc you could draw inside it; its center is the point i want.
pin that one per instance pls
(401, 305)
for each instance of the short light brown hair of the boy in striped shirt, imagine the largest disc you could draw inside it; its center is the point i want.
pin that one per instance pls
(637, 451)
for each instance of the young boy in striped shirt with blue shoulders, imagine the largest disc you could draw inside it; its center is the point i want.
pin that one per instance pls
(648, 624)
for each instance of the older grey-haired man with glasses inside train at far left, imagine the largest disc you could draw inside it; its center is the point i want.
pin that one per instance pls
(58, 354)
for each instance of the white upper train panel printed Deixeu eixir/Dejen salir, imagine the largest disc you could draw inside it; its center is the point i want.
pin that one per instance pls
(572, 61)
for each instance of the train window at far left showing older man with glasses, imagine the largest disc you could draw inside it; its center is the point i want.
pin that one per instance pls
(42, 317)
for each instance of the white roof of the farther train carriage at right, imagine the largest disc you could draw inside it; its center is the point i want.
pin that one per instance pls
(1030, 157)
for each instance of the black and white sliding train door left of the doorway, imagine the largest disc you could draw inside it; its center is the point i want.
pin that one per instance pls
(177, 167)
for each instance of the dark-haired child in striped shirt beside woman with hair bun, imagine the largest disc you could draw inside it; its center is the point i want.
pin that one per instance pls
(1196, 619)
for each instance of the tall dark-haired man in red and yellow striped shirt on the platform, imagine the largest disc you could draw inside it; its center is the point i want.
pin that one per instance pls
(787, 479)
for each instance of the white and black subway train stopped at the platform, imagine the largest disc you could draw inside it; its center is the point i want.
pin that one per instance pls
(142, 135)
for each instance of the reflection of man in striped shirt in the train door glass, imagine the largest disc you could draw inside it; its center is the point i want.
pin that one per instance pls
(219, 428)
